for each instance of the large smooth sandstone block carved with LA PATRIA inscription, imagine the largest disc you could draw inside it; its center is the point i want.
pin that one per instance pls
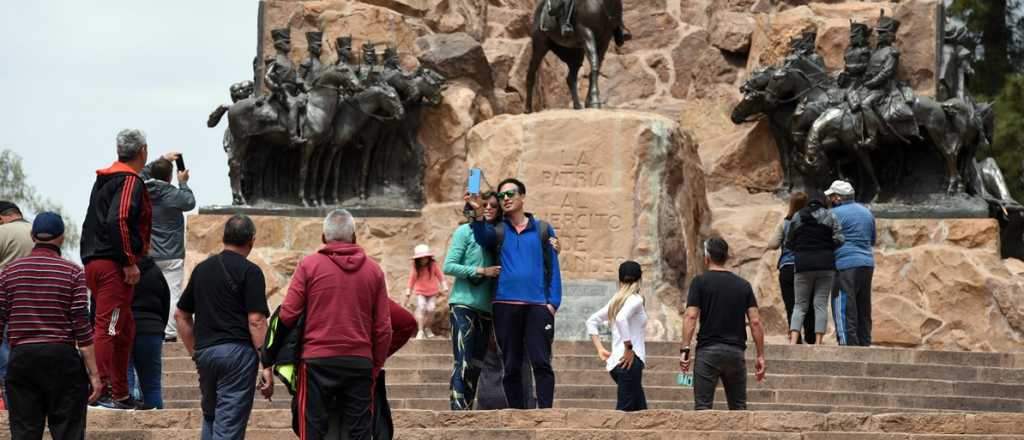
(615, 185)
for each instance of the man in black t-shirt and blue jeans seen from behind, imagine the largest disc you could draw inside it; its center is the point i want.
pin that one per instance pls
(227, 296)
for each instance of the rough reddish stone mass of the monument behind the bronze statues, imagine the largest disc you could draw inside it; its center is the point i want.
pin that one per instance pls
(646, 182)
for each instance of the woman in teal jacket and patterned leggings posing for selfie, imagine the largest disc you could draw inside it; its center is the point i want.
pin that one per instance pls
(475, 272)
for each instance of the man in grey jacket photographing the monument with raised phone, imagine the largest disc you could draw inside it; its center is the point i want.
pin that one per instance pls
(168, 243)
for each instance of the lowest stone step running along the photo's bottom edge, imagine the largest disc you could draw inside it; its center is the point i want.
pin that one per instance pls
(592, 425)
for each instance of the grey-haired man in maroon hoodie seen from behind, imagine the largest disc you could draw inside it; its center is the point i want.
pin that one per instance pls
(348, 332)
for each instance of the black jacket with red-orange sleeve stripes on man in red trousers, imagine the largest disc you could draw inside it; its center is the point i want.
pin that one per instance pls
(120, 216)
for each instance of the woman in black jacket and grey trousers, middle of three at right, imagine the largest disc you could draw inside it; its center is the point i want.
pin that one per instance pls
(815, 235)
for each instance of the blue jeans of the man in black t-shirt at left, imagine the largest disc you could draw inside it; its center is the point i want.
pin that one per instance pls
(228, 381)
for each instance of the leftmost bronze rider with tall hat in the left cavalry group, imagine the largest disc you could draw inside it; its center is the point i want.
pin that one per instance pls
(284, 82)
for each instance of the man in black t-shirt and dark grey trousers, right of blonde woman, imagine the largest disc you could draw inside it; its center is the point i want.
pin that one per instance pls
(723, 302)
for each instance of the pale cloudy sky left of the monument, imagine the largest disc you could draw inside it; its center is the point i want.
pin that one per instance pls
(76, 72)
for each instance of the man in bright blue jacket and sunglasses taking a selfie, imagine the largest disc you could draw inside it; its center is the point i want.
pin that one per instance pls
(529, 292)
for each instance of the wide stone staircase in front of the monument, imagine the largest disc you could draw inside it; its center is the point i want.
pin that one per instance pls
(824, 392)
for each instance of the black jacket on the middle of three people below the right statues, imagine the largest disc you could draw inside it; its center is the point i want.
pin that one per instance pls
(815, 236)
